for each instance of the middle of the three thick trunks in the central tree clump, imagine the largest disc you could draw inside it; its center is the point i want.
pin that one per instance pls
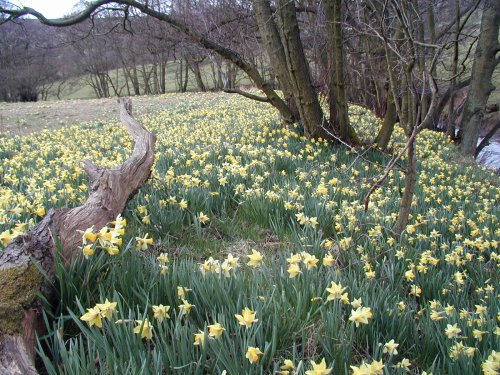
(307, 101)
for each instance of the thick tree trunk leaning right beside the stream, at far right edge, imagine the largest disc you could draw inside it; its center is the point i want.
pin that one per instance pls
(482, 71)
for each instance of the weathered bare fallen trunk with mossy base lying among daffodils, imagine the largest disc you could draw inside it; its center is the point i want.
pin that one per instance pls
(21, 280)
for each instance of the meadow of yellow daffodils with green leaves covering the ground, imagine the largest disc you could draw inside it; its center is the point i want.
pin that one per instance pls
(249, 251)
